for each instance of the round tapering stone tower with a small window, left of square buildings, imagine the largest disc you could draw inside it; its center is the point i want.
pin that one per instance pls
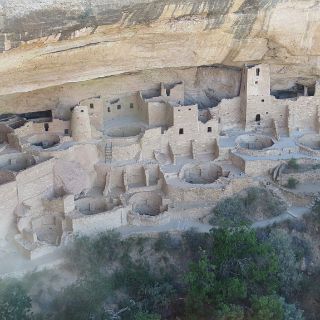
(80, 124)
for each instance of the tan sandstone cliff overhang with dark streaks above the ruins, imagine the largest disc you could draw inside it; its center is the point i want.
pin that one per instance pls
(47, 43)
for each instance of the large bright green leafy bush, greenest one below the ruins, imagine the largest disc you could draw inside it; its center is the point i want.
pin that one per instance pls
(222, 281)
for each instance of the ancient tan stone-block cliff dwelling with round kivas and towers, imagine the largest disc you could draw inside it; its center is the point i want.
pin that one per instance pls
(138, 159)
